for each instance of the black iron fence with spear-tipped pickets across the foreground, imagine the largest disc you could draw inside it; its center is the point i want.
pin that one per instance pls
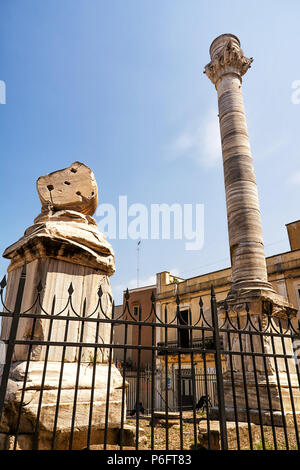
(231, 382)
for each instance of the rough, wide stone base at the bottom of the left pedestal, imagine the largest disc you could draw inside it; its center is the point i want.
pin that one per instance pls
(49, 403)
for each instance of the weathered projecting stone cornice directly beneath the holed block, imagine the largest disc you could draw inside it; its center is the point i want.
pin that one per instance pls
(63, 235)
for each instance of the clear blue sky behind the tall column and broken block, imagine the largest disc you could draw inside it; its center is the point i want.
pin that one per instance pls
(119, 85)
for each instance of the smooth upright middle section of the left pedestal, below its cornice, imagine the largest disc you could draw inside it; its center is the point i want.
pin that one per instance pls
(56, 277)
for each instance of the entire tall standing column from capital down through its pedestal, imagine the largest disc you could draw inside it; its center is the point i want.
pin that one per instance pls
(250, 284)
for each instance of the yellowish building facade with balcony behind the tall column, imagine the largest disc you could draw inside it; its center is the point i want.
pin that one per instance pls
(283, 274)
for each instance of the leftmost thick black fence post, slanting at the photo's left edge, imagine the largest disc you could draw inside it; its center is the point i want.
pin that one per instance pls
(12, 339)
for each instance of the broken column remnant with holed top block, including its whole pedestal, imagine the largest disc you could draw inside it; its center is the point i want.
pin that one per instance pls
(63, 246)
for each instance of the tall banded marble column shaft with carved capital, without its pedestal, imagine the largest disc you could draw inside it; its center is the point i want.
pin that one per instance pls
(228, 65)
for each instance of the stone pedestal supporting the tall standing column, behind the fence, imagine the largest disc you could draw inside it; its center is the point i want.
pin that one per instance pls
(262, 384)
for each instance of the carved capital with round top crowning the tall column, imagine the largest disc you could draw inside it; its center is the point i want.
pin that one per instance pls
(226, 57)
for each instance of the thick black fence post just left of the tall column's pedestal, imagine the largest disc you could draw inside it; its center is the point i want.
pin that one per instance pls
(219, 374)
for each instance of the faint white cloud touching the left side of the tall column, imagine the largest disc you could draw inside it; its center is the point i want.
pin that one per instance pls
(200, 142)
